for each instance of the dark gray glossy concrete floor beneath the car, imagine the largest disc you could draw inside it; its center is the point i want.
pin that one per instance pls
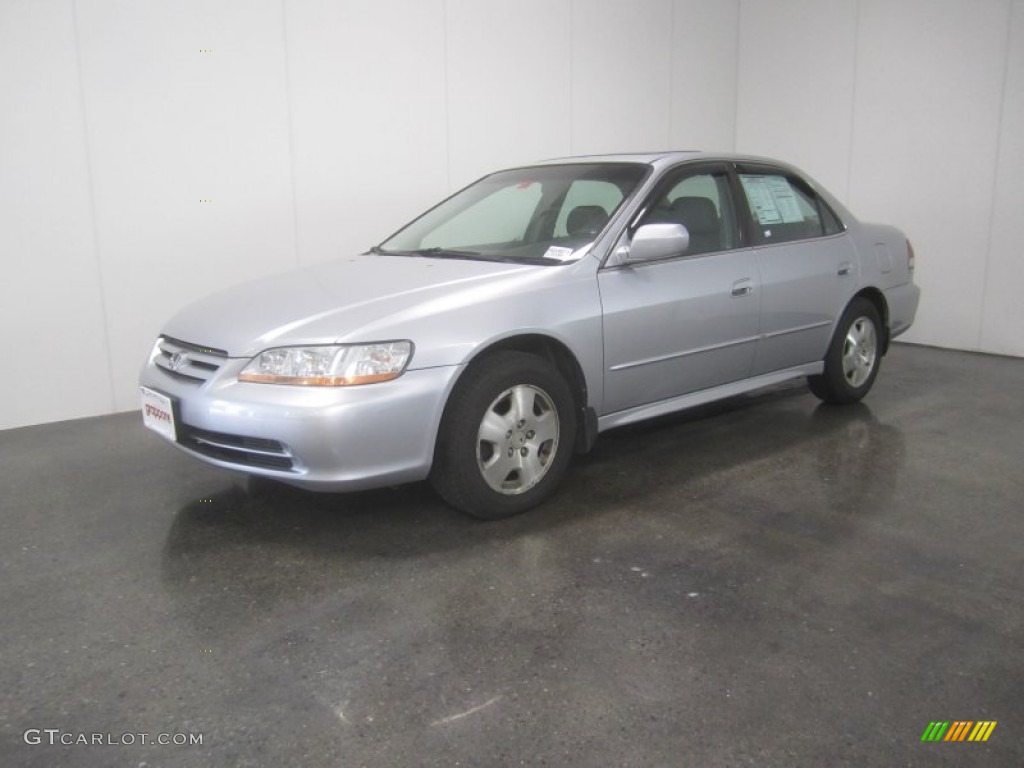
(766, 582)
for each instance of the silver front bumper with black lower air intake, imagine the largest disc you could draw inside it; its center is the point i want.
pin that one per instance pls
(323, 439)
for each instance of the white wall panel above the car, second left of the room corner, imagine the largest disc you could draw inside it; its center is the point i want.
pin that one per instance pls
(621, 75)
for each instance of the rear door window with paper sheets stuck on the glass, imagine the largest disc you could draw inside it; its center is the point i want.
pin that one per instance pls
(784, 209)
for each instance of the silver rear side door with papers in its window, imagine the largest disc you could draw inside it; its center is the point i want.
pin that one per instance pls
(803, 259)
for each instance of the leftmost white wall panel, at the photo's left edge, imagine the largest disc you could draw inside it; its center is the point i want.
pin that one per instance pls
(51, 304)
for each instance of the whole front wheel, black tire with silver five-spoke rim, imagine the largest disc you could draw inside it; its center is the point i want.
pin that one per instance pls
(506, 438)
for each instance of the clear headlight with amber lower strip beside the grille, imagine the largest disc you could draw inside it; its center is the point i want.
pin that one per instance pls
(336, 366)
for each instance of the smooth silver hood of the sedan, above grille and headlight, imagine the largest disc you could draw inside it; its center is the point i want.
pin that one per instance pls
(353, 300)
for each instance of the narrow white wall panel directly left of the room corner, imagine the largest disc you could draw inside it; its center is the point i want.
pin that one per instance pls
(703, 88)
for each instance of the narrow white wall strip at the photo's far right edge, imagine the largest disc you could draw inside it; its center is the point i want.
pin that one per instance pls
(1003, 322)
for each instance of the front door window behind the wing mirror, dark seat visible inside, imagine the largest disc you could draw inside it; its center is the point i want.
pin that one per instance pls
(702, 203)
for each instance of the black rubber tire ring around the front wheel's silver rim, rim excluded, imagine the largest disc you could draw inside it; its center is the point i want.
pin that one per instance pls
(456, 475)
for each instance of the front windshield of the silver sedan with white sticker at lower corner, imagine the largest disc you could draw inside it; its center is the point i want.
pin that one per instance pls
(547, 215)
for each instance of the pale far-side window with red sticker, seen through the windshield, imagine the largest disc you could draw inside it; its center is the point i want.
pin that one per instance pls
(500, 218)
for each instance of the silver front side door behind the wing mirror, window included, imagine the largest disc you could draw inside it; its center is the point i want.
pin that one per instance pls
(689, 322)
